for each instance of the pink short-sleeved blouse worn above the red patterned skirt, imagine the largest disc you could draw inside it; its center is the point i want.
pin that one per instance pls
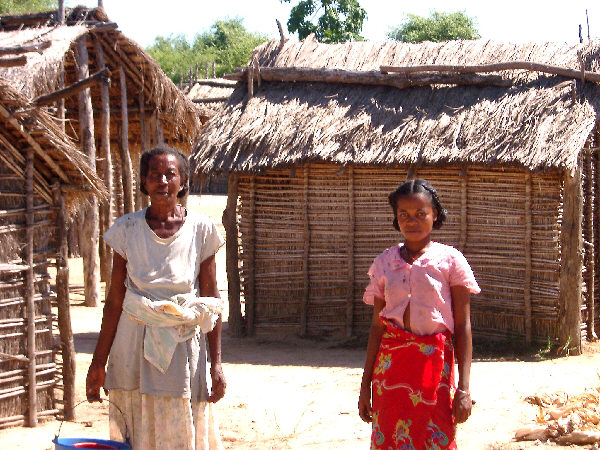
(425, 285)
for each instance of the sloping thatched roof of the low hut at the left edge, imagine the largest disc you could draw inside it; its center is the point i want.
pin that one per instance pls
(56, 157)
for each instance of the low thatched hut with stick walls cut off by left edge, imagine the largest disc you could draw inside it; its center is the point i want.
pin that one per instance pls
(42, 175)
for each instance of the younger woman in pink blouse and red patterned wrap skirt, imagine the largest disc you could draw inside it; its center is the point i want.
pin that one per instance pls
(421, 293)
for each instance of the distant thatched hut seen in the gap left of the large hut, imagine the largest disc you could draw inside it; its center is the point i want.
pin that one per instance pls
(211, 93)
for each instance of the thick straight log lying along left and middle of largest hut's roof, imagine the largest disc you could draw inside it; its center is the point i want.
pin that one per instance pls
(373, 78)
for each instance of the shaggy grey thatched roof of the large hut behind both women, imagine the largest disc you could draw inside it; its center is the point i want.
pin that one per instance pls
(541, 121)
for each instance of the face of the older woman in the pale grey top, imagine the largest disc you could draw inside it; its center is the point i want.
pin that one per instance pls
(163, 180)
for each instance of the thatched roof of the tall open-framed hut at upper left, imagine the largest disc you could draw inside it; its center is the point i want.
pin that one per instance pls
(181, 119)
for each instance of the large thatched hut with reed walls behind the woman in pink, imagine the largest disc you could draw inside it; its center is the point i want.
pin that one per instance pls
(320, 134)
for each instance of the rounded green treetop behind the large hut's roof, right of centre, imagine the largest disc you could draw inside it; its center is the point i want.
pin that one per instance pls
(438, 27)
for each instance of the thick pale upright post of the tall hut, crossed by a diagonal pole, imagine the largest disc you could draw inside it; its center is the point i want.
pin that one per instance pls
(88, 238)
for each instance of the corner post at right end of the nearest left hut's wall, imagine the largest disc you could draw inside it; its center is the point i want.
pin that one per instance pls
(64, 305)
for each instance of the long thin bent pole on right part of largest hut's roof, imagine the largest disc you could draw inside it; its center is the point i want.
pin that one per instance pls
(497, 67)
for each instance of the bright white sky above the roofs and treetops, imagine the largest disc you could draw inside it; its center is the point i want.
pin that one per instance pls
(507, 21)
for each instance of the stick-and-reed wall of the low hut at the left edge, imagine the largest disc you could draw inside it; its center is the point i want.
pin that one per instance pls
(13, 325)
